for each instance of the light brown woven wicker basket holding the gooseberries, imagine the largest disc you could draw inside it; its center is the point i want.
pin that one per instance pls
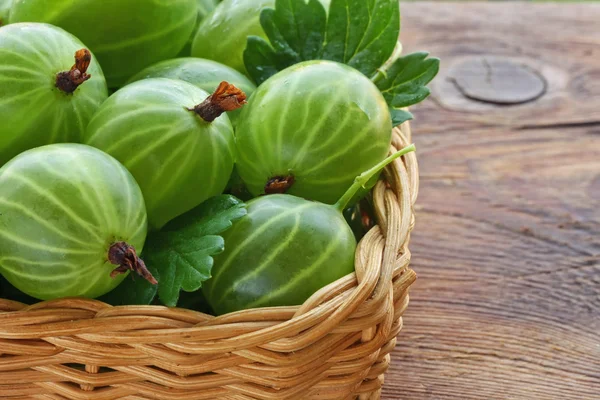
(334, 346)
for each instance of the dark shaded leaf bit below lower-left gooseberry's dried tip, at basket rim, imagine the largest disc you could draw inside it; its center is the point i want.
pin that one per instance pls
(134, 290)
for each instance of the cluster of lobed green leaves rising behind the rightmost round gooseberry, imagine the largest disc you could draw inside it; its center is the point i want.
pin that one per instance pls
(360, 33)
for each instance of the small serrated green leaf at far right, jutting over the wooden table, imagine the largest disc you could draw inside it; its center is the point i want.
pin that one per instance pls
(403, 83)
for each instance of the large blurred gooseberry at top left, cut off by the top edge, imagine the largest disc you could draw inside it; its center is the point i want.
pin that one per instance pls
(125, 35)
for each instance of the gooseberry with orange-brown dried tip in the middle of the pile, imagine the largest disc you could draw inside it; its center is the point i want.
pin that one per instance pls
(169, 134)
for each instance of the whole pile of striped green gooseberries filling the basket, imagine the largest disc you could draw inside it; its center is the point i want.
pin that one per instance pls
(110, 130)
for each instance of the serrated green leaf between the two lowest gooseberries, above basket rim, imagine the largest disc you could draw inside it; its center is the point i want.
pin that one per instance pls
(182, 252)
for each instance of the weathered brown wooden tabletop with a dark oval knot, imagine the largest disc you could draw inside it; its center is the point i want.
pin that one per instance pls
(507, 242)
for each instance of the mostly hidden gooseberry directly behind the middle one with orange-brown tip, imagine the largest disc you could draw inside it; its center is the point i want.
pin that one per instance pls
(205, 74)
